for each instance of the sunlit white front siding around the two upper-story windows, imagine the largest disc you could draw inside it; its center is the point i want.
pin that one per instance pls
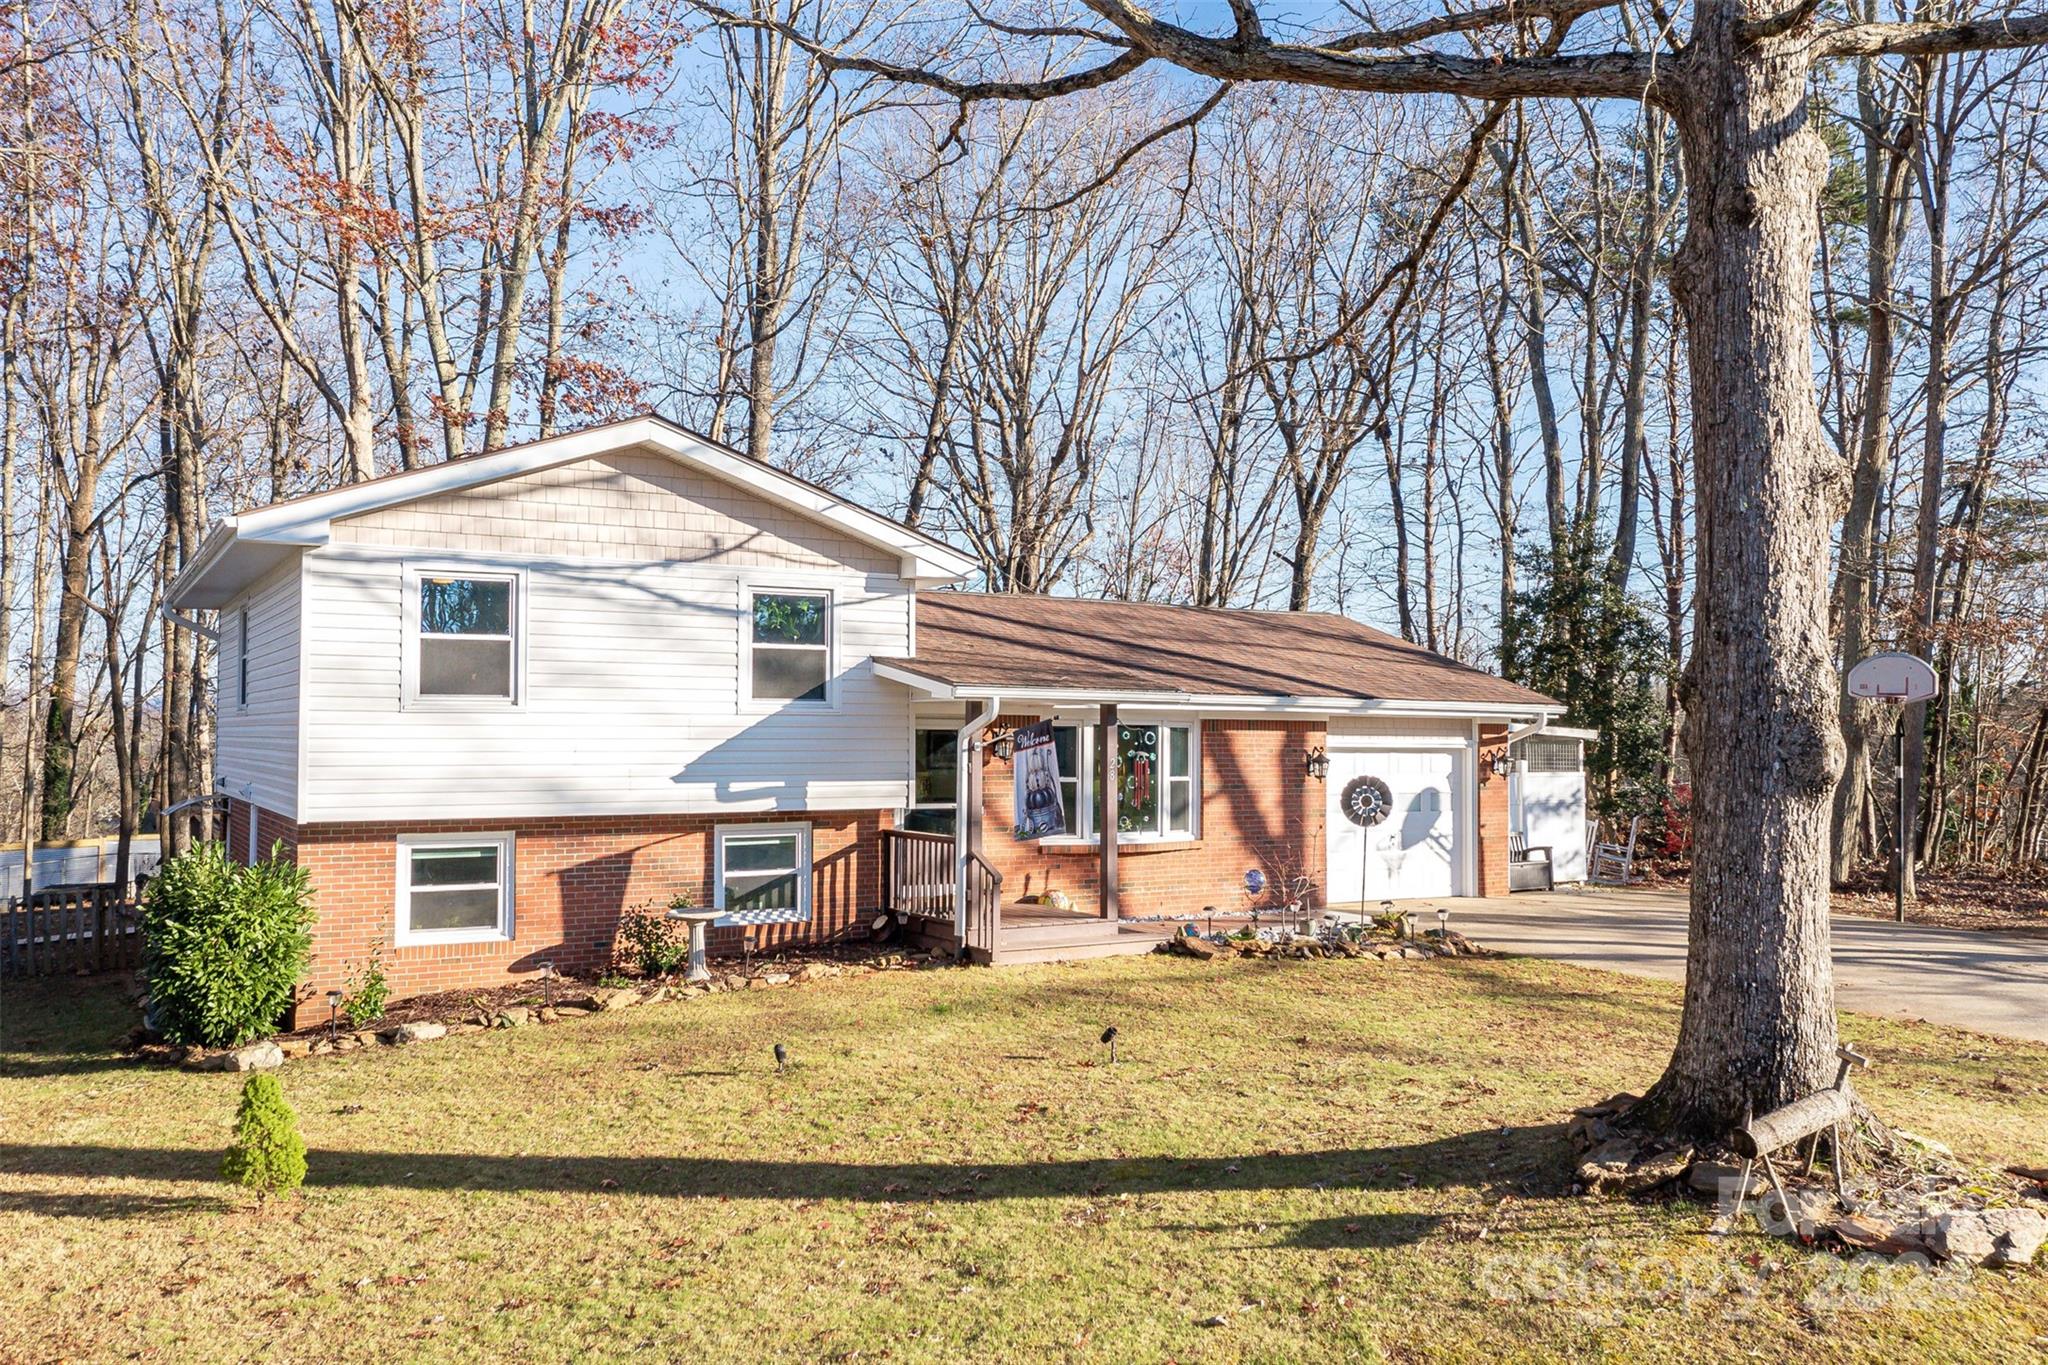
(632, 697)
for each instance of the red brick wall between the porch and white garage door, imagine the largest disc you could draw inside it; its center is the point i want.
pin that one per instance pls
(1261, 809)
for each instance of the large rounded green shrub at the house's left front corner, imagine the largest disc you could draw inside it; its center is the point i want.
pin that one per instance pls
(224, 946)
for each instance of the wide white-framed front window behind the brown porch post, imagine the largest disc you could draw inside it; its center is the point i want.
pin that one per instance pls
(1160, 779)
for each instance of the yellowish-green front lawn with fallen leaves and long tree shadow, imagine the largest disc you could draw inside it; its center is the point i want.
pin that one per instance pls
(1336, 1159)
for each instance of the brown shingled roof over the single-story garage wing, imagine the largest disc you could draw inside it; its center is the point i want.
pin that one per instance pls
(1072, 644)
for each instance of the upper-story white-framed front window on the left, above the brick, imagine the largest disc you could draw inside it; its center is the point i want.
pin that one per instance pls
(466, 629)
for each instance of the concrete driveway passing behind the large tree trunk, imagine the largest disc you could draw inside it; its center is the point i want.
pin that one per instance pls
(1977, 981)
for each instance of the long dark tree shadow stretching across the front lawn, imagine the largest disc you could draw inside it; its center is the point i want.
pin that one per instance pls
(1476, 1159)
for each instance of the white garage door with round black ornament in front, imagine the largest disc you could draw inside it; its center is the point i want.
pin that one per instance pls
(1418, 848)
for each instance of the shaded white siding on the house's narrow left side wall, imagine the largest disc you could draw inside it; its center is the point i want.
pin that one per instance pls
(257, 750)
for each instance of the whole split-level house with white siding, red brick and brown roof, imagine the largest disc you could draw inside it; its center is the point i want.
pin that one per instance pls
(497, 703)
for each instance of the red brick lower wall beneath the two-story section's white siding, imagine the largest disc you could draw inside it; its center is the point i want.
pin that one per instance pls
(572, 881)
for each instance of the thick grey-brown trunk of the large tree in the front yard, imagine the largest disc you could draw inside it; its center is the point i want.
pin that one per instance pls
(1762, 732)
